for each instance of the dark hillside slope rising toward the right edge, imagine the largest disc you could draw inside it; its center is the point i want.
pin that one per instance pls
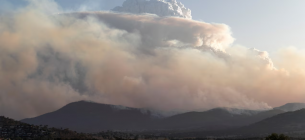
(293, 121)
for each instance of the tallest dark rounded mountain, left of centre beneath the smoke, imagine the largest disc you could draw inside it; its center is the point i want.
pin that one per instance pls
(93, 117)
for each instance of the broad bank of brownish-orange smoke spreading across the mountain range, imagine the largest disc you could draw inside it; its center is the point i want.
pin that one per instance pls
(167, 64)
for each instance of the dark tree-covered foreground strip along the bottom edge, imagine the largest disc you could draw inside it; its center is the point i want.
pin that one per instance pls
(15, 130)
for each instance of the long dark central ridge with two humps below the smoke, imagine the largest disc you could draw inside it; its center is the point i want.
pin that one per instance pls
(93, 117)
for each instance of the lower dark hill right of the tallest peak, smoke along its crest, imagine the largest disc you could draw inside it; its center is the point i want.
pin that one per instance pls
(215, 119)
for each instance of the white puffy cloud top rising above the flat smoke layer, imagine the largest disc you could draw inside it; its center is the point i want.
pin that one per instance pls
(161, 8)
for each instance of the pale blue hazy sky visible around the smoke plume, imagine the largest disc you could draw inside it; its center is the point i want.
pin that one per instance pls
(265, 25)
